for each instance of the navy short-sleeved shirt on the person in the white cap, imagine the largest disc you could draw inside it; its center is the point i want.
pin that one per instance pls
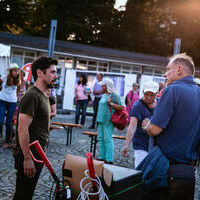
(140, 139)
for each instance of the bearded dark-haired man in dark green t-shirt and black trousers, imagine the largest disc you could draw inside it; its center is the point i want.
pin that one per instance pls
(33, 124)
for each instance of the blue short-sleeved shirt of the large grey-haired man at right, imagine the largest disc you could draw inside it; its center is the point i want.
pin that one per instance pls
(178, 113)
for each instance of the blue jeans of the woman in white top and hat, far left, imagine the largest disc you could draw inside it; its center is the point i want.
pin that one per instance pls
(10, 108)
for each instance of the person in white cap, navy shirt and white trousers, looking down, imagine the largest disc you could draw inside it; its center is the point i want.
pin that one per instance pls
(142, 109)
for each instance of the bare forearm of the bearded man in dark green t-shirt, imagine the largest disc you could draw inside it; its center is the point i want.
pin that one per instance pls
(24, 141)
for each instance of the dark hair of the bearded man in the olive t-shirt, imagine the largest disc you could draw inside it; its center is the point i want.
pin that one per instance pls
(42, 63)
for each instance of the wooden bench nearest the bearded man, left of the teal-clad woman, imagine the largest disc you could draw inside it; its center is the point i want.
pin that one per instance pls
(68, 127)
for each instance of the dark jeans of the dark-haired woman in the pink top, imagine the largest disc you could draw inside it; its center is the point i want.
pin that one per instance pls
(81, 105)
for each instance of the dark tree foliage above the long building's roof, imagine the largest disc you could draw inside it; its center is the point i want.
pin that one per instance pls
(146, 26)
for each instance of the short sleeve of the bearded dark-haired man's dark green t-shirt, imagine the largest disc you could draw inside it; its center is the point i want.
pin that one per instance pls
(29, 104)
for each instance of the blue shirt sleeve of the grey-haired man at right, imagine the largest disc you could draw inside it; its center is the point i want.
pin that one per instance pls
(164, 109)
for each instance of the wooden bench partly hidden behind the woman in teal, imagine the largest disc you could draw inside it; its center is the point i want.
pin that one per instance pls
(93, 143)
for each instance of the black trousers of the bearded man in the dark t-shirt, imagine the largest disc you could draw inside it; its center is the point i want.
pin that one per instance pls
(25, 186)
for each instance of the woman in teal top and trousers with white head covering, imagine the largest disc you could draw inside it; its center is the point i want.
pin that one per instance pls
(109, 102)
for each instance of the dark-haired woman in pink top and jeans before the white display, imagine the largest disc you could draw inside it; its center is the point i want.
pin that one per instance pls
(81, 98)
